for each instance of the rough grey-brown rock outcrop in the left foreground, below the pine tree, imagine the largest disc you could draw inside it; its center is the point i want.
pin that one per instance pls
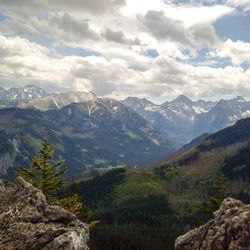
(27, 222)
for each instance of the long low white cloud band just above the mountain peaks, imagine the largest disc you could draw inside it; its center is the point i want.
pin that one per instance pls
(115, 76)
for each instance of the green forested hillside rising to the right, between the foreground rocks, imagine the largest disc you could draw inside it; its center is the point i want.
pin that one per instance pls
(148, 209)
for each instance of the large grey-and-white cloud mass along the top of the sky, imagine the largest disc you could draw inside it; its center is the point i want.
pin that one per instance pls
(158, 23)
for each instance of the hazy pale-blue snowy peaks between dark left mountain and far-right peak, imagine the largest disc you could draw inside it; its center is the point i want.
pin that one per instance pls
(175, 118)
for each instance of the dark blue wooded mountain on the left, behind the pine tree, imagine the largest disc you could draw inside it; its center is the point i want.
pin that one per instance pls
(92, 134)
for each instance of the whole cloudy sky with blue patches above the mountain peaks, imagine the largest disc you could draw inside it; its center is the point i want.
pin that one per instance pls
(156, 49)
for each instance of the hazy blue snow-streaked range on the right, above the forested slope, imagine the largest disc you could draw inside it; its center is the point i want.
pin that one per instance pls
(182, 119)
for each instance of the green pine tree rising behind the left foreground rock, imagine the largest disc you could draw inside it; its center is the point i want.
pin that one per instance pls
(43, 173)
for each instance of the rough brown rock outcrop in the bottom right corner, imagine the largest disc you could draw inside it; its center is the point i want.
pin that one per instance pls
(230, 229)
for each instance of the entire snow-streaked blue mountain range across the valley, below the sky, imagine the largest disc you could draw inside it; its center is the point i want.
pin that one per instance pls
(92, 132)
